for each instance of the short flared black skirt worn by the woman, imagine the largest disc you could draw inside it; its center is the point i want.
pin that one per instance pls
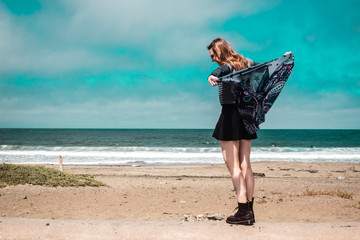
(230, 126)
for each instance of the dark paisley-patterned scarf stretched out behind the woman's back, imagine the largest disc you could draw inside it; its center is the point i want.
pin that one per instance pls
(256, 88)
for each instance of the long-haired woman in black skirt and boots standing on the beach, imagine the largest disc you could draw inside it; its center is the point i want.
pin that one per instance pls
(234, 140)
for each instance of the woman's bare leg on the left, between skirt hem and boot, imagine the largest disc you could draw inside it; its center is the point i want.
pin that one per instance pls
(230, 151)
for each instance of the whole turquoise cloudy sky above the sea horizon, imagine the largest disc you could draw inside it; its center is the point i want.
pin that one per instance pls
(144, 64)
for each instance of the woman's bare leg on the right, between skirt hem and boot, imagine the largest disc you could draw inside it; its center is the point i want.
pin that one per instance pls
(245, 165)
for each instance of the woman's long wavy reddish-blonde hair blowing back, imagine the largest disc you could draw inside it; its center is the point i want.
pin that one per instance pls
(225, 54)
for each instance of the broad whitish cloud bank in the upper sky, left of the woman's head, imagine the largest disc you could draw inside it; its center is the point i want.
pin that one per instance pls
(71, 35)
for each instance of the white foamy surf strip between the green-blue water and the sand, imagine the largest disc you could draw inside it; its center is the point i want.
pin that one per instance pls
(165, 155)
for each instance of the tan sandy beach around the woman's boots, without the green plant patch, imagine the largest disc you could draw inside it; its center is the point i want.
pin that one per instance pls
(292, 200)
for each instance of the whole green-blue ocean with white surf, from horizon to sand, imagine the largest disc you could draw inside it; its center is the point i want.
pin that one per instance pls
(159, 147)
